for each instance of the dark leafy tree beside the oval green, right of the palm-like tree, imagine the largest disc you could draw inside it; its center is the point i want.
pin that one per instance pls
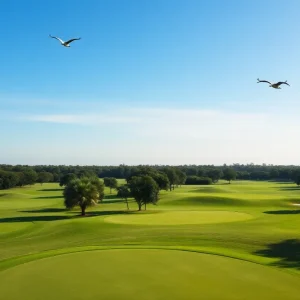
(144, 190)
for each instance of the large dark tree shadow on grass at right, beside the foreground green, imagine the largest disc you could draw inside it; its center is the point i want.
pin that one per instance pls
(287, 252)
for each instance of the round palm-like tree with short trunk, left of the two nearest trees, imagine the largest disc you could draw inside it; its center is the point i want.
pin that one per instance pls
(80, 192)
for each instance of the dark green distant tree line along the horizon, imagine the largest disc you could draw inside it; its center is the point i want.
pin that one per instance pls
(20, 175)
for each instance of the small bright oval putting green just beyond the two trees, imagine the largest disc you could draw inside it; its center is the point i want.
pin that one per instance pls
(179, 218)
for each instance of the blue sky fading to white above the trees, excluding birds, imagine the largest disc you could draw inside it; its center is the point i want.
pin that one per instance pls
(150, 82)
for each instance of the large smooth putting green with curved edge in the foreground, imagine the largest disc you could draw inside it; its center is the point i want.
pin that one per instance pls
(145, 274)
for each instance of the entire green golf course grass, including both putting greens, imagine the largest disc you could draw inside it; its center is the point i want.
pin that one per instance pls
(250, 229)
